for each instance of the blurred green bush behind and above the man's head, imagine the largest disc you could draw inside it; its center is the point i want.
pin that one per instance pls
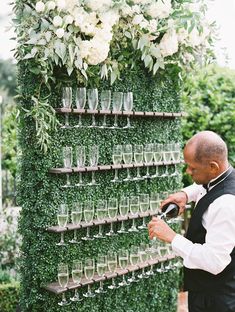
(209, 99)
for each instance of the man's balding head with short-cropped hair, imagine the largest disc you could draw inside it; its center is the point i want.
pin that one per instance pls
(206, 156)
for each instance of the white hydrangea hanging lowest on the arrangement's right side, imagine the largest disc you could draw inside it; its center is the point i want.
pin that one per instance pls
(169, 44)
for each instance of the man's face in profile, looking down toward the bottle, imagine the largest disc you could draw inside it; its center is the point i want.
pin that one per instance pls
(199, 171)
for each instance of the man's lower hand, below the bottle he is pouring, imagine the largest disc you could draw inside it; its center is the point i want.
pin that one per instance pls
(160, 229)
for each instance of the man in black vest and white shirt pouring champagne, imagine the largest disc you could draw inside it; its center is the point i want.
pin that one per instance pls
(208, 250)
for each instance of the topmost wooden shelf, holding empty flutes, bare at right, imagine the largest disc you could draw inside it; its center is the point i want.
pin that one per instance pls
(119, 113)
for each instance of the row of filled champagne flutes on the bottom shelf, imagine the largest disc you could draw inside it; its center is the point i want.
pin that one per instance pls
(105, 264)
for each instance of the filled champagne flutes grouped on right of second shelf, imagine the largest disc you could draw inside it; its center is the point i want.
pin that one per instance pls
(147, 154)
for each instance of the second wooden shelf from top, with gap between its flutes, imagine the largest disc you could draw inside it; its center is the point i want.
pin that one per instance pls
(110, 167)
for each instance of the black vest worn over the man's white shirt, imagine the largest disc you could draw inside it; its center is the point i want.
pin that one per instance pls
(200, 280)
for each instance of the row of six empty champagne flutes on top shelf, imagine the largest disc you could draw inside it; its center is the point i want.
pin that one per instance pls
(83, 95)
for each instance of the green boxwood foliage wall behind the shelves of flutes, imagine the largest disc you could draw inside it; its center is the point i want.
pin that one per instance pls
(40, 194)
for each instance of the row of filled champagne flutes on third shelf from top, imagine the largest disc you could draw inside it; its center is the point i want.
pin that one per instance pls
(108, 210)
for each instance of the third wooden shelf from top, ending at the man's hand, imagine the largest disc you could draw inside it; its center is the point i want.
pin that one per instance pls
(83, 224)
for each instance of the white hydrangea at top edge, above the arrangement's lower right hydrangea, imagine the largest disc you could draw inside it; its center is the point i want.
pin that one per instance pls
(159, 9)
